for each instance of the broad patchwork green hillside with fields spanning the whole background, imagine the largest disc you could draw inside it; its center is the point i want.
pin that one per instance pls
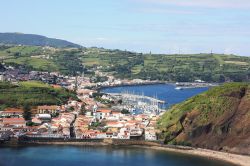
(125, 64)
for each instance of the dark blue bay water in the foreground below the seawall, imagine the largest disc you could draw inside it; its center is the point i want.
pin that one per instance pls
(97, 156)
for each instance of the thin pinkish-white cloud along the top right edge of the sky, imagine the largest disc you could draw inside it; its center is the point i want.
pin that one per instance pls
(235, 4)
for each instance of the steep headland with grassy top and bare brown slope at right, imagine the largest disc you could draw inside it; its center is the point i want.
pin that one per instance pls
(217, 119)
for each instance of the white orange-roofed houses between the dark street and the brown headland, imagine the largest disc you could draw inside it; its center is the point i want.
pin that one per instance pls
(113, 124)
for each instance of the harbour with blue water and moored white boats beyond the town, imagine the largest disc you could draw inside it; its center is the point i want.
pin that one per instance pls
(162, 96)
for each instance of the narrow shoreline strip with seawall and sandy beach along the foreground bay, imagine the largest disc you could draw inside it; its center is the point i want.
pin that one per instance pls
(235, 159)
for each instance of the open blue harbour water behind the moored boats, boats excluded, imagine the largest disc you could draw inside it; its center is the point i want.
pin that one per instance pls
(165, 92)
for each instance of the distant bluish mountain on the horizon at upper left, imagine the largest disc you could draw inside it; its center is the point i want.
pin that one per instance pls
(34, 40)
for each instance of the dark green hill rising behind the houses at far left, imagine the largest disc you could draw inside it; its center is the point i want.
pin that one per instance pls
(32, 93)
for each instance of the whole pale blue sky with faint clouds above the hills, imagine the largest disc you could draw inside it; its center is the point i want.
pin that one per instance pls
(159, 26)
